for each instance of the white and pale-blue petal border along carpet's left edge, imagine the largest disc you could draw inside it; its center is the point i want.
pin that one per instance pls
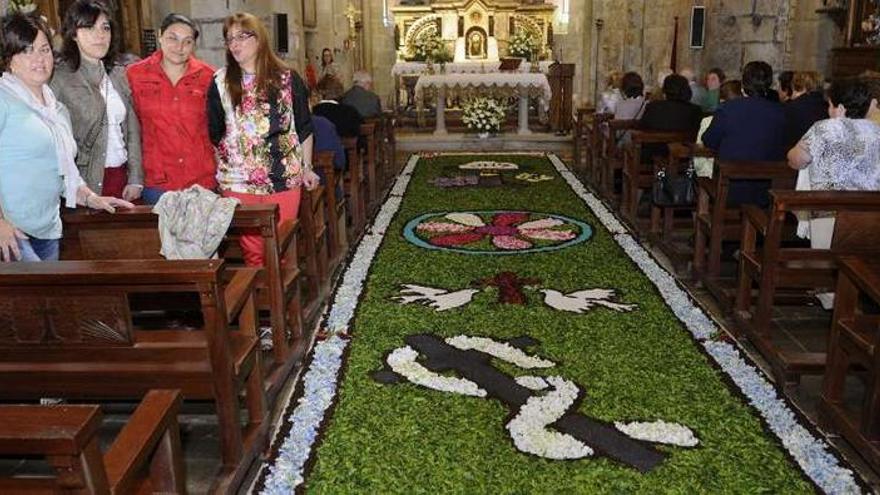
(321, 380)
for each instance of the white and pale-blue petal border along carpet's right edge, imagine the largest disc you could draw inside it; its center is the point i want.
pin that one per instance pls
(811, 453)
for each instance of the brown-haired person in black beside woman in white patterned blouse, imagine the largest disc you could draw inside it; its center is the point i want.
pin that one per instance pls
(806, 106)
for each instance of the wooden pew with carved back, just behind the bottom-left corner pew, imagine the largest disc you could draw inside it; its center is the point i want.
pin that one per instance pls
(70, 334)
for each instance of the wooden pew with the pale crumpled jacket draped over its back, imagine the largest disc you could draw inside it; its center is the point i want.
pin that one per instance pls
(133, 234)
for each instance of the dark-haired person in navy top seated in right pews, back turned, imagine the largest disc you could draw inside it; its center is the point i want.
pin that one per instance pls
(751, 128)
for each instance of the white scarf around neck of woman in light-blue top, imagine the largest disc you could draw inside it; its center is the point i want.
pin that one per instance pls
(55, 116)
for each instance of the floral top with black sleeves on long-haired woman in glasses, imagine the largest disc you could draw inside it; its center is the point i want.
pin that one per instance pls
(258, 143)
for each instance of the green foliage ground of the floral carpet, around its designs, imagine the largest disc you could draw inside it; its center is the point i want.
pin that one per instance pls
(641, 365)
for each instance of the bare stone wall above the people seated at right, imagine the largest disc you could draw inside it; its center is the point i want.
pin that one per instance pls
(638, 34)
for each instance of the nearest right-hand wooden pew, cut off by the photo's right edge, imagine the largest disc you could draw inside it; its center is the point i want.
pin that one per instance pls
(853, 348)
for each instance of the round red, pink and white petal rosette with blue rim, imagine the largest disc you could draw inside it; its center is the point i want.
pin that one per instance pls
(496, 232)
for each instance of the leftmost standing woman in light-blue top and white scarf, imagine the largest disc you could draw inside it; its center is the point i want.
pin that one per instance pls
(37, 165)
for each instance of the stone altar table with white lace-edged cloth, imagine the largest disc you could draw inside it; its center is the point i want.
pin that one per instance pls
(498, 84)
